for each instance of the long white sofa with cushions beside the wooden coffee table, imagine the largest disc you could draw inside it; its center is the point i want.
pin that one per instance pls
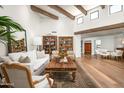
(39, 60)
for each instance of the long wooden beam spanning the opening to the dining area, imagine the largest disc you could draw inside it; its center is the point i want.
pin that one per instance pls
(104, 28)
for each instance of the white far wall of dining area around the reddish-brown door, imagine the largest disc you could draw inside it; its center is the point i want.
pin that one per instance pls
(110, 42)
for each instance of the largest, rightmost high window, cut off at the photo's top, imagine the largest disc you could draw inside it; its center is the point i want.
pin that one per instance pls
(115, 8)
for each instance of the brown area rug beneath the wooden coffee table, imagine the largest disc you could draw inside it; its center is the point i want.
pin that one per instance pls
(64, 80)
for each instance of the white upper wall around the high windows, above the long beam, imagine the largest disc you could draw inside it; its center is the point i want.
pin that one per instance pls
(104, 19)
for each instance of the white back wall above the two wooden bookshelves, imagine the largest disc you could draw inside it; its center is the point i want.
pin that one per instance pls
(63, 26)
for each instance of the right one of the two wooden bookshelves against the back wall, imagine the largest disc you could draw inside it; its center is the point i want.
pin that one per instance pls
(65, 43)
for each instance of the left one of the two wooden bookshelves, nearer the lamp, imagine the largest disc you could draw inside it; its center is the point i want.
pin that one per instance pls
(49, 44)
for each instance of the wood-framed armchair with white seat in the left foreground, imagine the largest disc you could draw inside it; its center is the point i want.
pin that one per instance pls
(20, 77)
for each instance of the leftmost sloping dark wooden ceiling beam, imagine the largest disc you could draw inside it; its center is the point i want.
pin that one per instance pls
(43, 12)
